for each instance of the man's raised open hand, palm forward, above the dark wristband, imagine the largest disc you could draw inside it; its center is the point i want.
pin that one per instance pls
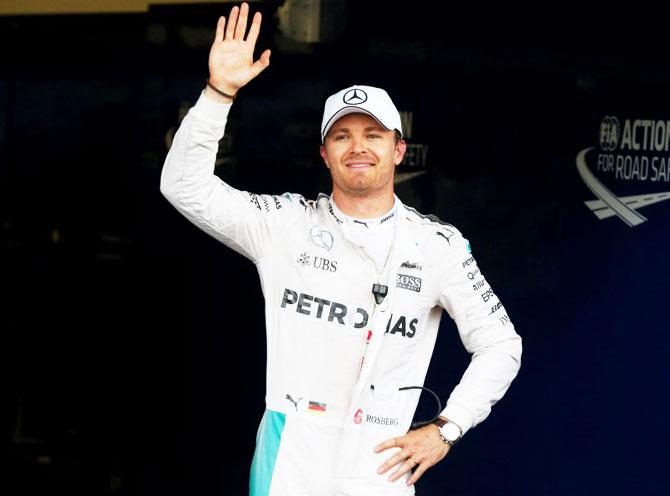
(231, 58)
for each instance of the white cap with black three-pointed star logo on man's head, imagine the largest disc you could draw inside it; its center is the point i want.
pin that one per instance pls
(364, 99)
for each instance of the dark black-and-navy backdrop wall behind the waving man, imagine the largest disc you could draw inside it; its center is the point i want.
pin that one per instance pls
(135, 343)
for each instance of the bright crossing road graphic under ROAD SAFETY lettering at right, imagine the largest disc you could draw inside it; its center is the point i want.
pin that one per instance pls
(608, 204)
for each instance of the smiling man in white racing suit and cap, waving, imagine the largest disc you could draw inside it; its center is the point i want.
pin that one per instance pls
(354, 286)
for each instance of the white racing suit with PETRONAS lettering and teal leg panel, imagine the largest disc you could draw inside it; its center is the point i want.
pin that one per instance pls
(336, 359)
